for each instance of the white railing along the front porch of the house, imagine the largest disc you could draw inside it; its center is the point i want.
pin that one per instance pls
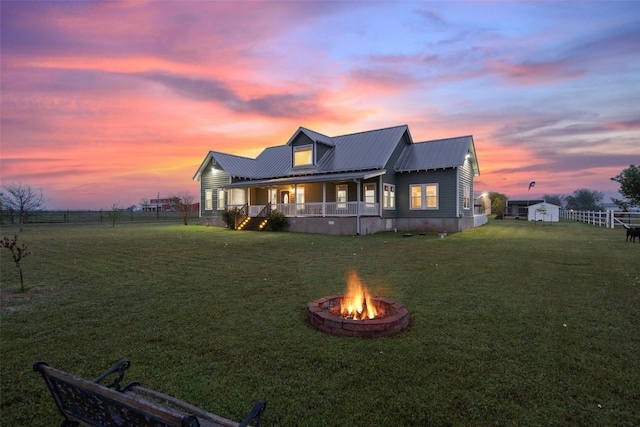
(320, 209)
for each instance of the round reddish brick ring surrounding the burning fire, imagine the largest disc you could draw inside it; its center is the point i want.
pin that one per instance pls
(396, 320)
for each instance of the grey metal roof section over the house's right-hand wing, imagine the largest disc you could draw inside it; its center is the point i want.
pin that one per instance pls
(438, 154)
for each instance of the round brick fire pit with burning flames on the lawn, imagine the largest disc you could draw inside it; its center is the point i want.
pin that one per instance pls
(357, 313)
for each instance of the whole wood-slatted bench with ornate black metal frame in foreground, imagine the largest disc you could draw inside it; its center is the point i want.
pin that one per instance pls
(84, 402)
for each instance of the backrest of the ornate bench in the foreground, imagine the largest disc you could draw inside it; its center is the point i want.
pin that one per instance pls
(90, 403)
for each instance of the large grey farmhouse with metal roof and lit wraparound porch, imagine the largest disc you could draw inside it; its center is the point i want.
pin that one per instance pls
(361, 183)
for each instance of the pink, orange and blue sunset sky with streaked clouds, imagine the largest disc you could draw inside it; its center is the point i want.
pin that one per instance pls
(115, 102)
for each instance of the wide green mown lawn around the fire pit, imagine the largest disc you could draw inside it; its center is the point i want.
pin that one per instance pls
(513, 323)
